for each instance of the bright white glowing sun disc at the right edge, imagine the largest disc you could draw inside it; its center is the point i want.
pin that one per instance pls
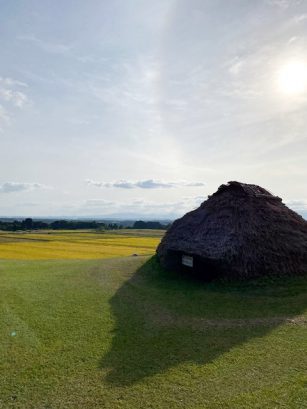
(292, 78)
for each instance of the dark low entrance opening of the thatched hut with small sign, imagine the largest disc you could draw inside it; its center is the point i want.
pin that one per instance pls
(189, 263)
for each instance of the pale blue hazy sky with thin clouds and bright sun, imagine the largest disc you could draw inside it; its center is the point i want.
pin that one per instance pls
(135, 108)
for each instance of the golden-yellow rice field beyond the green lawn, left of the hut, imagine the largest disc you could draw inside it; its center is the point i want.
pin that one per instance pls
(74, 245)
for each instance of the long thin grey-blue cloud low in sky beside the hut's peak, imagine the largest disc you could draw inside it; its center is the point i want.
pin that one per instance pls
(143, 184)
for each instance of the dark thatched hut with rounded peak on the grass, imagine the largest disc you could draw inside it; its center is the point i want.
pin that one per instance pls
(241, 231)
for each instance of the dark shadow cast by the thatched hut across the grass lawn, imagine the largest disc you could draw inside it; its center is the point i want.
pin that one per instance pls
(164, 320)
